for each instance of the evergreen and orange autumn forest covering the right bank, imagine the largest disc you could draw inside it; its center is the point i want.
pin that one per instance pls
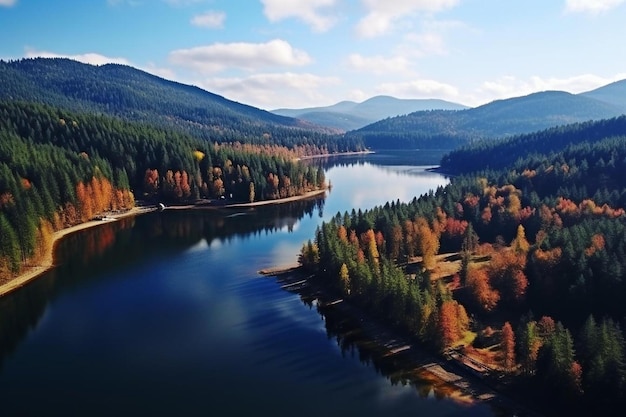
(519, 268)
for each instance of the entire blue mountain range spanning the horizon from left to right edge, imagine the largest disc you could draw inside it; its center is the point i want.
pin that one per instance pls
(380, 122)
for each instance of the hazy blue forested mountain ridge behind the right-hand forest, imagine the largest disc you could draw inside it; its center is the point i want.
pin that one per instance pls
(500, 118)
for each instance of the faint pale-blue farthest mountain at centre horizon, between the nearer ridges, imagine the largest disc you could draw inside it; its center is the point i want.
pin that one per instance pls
(350, 115)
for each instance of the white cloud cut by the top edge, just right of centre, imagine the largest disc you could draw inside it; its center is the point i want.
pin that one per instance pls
(381, 14)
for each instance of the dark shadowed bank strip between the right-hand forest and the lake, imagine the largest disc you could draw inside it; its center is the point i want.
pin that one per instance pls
(447, 376)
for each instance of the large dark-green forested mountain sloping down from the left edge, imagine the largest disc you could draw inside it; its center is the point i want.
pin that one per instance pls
(132, 94)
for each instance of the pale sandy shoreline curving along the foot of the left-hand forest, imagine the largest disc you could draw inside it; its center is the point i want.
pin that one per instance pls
(30, 273)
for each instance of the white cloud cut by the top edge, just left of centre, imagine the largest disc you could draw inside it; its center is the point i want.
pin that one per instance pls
(306, 10)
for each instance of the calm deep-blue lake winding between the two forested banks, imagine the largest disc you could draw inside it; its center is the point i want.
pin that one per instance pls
(166, 314)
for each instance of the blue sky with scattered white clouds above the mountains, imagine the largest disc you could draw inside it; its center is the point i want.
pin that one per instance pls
(307, 53)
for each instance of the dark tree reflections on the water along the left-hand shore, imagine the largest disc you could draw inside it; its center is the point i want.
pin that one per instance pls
(94, 253)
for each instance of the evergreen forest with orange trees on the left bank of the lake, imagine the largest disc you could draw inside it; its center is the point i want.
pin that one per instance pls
(59, 168)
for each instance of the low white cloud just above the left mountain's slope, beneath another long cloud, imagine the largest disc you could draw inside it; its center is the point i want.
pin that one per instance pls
(265, 90)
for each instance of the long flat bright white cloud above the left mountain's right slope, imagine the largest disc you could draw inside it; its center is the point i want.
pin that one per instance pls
(249, 56)
